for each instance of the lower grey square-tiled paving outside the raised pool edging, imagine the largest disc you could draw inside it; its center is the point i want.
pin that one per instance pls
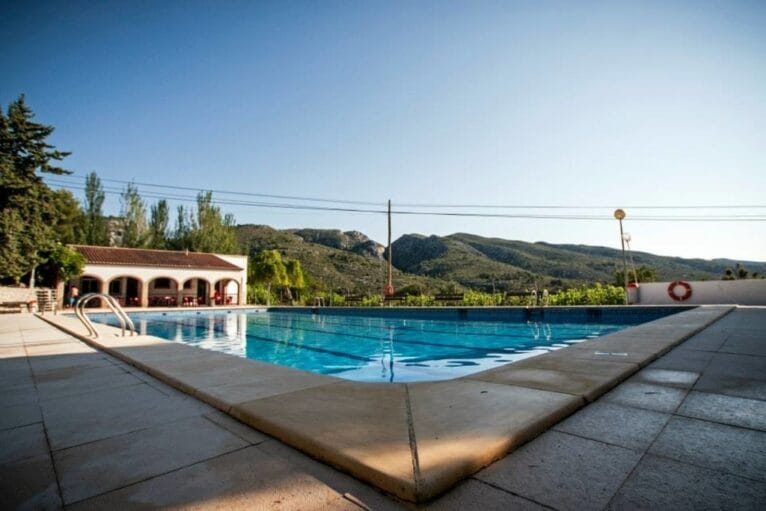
(81, 429)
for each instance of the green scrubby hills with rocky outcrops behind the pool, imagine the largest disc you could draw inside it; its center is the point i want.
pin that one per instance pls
(352, 263)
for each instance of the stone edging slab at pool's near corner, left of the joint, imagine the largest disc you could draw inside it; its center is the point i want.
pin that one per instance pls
(360, 428)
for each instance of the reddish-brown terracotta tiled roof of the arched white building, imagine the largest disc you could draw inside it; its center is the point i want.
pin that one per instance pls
(158, 258)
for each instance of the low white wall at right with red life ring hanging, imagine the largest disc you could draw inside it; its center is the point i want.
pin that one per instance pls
(741, 292)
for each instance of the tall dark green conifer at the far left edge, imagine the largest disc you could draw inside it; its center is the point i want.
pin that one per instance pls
(28, 211)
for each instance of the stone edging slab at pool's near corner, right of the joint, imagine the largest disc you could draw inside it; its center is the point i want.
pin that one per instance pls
(461, 426)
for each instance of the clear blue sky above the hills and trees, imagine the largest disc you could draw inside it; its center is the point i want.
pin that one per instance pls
(528, 103)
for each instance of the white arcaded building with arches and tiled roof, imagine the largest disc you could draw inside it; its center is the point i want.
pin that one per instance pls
(146, 278)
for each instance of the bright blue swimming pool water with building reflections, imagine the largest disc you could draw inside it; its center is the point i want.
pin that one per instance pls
(387, 345)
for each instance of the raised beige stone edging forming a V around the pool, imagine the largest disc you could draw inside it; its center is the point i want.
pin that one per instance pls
(450, 444)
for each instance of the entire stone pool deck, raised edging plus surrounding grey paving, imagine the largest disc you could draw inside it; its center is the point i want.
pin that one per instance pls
(413, 440)
